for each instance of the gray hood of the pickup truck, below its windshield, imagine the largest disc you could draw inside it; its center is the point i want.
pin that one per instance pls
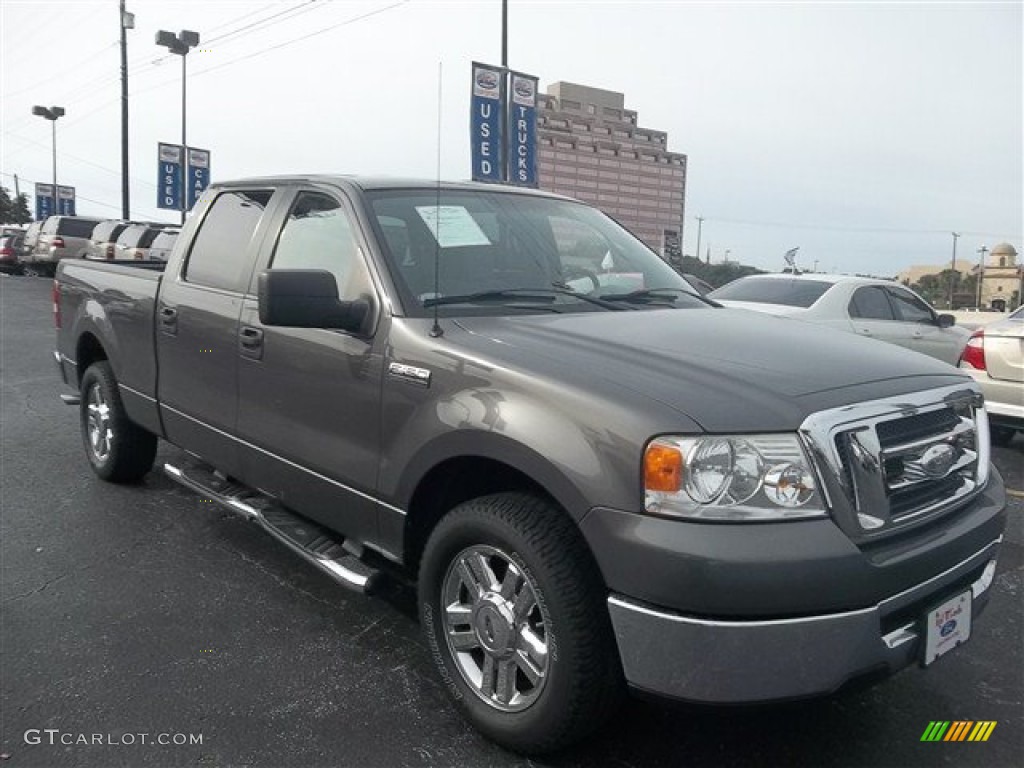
(724, 369)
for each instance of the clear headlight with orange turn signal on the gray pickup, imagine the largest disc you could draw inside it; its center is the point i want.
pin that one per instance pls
(732, 479)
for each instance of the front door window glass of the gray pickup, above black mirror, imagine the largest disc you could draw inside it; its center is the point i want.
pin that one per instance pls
(319, 235)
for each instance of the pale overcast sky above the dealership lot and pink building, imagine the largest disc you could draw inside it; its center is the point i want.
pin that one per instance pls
(863, 133)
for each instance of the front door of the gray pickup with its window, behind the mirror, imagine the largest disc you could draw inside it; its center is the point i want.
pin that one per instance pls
(310, 399)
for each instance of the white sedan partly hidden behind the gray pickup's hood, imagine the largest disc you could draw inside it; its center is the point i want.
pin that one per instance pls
(876, 309)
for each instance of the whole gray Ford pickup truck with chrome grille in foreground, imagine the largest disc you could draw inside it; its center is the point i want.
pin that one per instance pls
(596, 479)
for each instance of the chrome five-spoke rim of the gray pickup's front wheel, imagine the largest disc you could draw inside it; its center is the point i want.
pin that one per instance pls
(496, 628)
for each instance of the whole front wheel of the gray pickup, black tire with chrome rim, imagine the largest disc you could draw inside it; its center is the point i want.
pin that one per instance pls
(558, 596)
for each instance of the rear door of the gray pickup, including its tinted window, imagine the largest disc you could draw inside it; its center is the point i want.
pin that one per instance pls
(197, 326)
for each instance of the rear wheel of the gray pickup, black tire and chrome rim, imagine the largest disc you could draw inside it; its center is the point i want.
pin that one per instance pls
(118, 450)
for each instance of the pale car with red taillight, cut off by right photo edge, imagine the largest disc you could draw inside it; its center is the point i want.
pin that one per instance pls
(995, 357)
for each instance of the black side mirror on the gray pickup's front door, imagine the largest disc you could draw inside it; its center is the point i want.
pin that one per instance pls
(308, 298)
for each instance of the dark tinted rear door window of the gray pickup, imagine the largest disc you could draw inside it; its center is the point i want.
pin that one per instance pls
(220, 257)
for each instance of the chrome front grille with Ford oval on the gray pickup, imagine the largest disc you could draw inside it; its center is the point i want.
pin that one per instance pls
(905, 459)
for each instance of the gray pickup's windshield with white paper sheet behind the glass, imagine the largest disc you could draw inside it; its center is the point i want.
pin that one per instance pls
(497, 250)
